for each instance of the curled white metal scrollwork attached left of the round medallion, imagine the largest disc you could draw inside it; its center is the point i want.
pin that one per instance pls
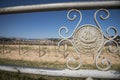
(67, 38)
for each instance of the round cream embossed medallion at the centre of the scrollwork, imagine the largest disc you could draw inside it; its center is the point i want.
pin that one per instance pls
(88, 39)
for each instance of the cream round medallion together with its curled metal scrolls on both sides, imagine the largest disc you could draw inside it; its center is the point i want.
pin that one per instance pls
(88, 39)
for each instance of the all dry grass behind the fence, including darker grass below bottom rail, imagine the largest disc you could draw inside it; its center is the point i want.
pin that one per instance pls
(48, 57)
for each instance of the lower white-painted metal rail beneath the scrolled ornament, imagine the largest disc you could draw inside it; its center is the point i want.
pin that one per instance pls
(111, 74)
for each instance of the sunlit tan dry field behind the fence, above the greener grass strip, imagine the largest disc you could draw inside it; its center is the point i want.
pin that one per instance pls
(52, 54)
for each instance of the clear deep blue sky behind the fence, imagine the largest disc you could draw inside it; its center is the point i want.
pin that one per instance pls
(46, 24)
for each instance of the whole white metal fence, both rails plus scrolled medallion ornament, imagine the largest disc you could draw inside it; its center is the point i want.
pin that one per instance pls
(80, 43)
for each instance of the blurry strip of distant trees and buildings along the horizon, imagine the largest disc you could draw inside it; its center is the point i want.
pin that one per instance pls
(38, 42)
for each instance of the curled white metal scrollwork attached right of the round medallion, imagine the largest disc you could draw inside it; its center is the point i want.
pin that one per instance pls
(109, 39)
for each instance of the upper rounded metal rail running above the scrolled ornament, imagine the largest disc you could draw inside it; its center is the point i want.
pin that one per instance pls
(61, 6)
